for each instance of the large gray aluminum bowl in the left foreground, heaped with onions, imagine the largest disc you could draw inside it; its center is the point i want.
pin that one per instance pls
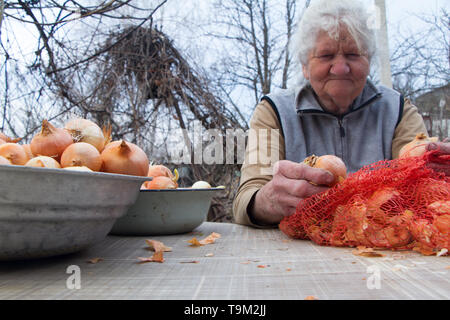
(47, 212)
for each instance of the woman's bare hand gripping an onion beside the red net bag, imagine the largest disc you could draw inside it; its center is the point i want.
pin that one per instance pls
(291, 183)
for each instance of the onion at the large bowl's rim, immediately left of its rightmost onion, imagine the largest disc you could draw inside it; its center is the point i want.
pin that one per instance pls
(81, 154)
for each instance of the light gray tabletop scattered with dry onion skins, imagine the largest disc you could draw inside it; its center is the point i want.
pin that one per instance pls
(244, 263)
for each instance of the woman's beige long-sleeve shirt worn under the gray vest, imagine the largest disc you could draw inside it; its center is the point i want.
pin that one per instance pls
(255, 175)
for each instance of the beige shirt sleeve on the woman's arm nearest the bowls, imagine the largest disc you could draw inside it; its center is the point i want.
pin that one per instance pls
(265, 146)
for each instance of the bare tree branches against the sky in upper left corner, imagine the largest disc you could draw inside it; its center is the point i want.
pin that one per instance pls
(50, 81)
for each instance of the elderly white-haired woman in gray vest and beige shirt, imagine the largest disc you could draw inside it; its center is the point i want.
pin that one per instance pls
(338, 111)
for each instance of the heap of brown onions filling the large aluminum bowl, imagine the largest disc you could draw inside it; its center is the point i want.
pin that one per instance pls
(80, 146)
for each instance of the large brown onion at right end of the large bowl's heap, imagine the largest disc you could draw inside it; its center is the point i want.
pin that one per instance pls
(125, 158)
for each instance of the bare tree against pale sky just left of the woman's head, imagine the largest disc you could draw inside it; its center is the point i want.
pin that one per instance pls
(257, 35)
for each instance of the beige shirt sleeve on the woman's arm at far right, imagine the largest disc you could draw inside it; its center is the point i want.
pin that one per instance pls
(410, 125)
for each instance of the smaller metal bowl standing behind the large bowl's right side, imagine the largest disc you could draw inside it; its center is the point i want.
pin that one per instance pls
(166, 212)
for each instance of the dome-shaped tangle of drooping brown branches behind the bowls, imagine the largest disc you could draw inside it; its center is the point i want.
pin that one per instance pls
(147, 63)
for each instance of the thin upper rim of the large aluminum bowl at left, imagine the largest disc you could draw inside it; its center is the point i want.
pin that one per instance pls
(11, 167)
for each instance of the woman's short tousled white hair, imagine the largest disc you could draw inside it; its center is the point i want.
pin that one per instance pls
(328, 15)
